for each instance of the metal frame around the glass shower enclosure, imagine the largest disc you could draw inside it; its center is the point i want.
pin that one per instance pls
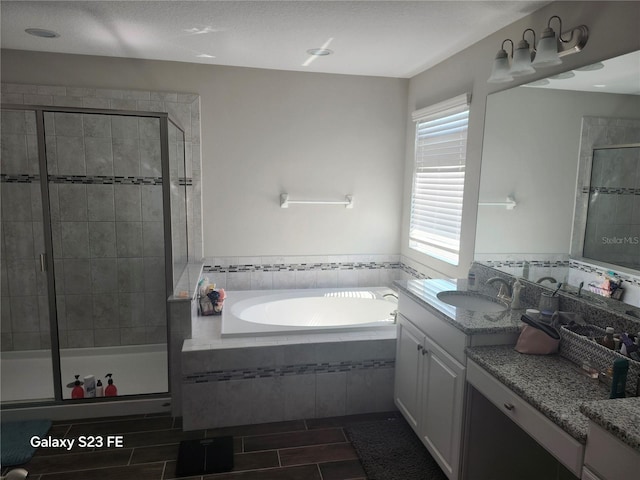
(164, 118)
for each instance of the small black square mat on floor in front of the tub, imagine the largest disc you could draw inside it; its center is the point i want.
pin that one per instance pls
(211, 455)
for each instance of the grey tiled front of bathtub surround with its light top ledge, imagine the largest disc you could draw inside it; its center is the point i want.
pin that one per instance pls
(267, 379)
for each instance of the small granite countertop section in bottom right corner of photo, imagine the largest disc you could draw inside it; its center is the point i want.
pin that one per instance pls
(620, 417)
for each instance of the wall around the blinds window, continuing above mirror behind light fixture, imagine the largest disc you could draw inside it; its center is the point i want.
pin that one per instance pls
(613, 31)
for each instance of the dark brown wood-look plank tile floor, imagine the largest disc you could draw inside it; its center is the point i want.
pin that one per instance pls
(316, 449)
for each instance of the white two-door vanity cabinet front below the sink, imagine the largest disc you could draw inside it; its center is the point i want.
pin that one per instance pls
(430, 382)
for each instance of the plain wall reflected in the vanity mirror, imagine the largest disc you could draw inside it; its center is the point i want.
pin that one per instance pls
(531, 150)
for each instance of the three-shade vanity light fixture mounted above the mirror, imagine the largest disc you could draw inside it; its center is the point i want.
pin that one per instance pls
(545, 53)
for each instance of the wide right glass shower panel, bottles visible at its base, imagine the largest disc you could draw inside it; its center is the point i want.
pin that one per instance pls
(105, 190)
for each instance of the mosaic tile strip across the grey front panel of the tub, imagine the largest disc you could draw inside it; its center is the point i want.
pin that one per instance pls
(287, 370)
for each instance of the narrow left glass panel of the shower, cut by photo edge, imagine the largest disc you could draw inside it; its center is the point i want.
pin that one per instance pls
(26, 364)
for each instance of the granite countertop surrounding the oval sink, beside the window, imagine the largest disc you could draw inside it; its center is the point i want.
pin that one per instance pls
(471, 323)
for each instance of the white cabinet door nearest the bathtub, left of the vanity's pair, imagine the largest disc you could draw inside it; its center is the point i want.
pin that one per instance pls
(410, 343)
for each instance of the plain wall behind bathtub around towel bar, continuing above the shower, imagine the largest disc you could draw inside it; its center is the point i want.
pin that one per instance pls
(265, 132)
